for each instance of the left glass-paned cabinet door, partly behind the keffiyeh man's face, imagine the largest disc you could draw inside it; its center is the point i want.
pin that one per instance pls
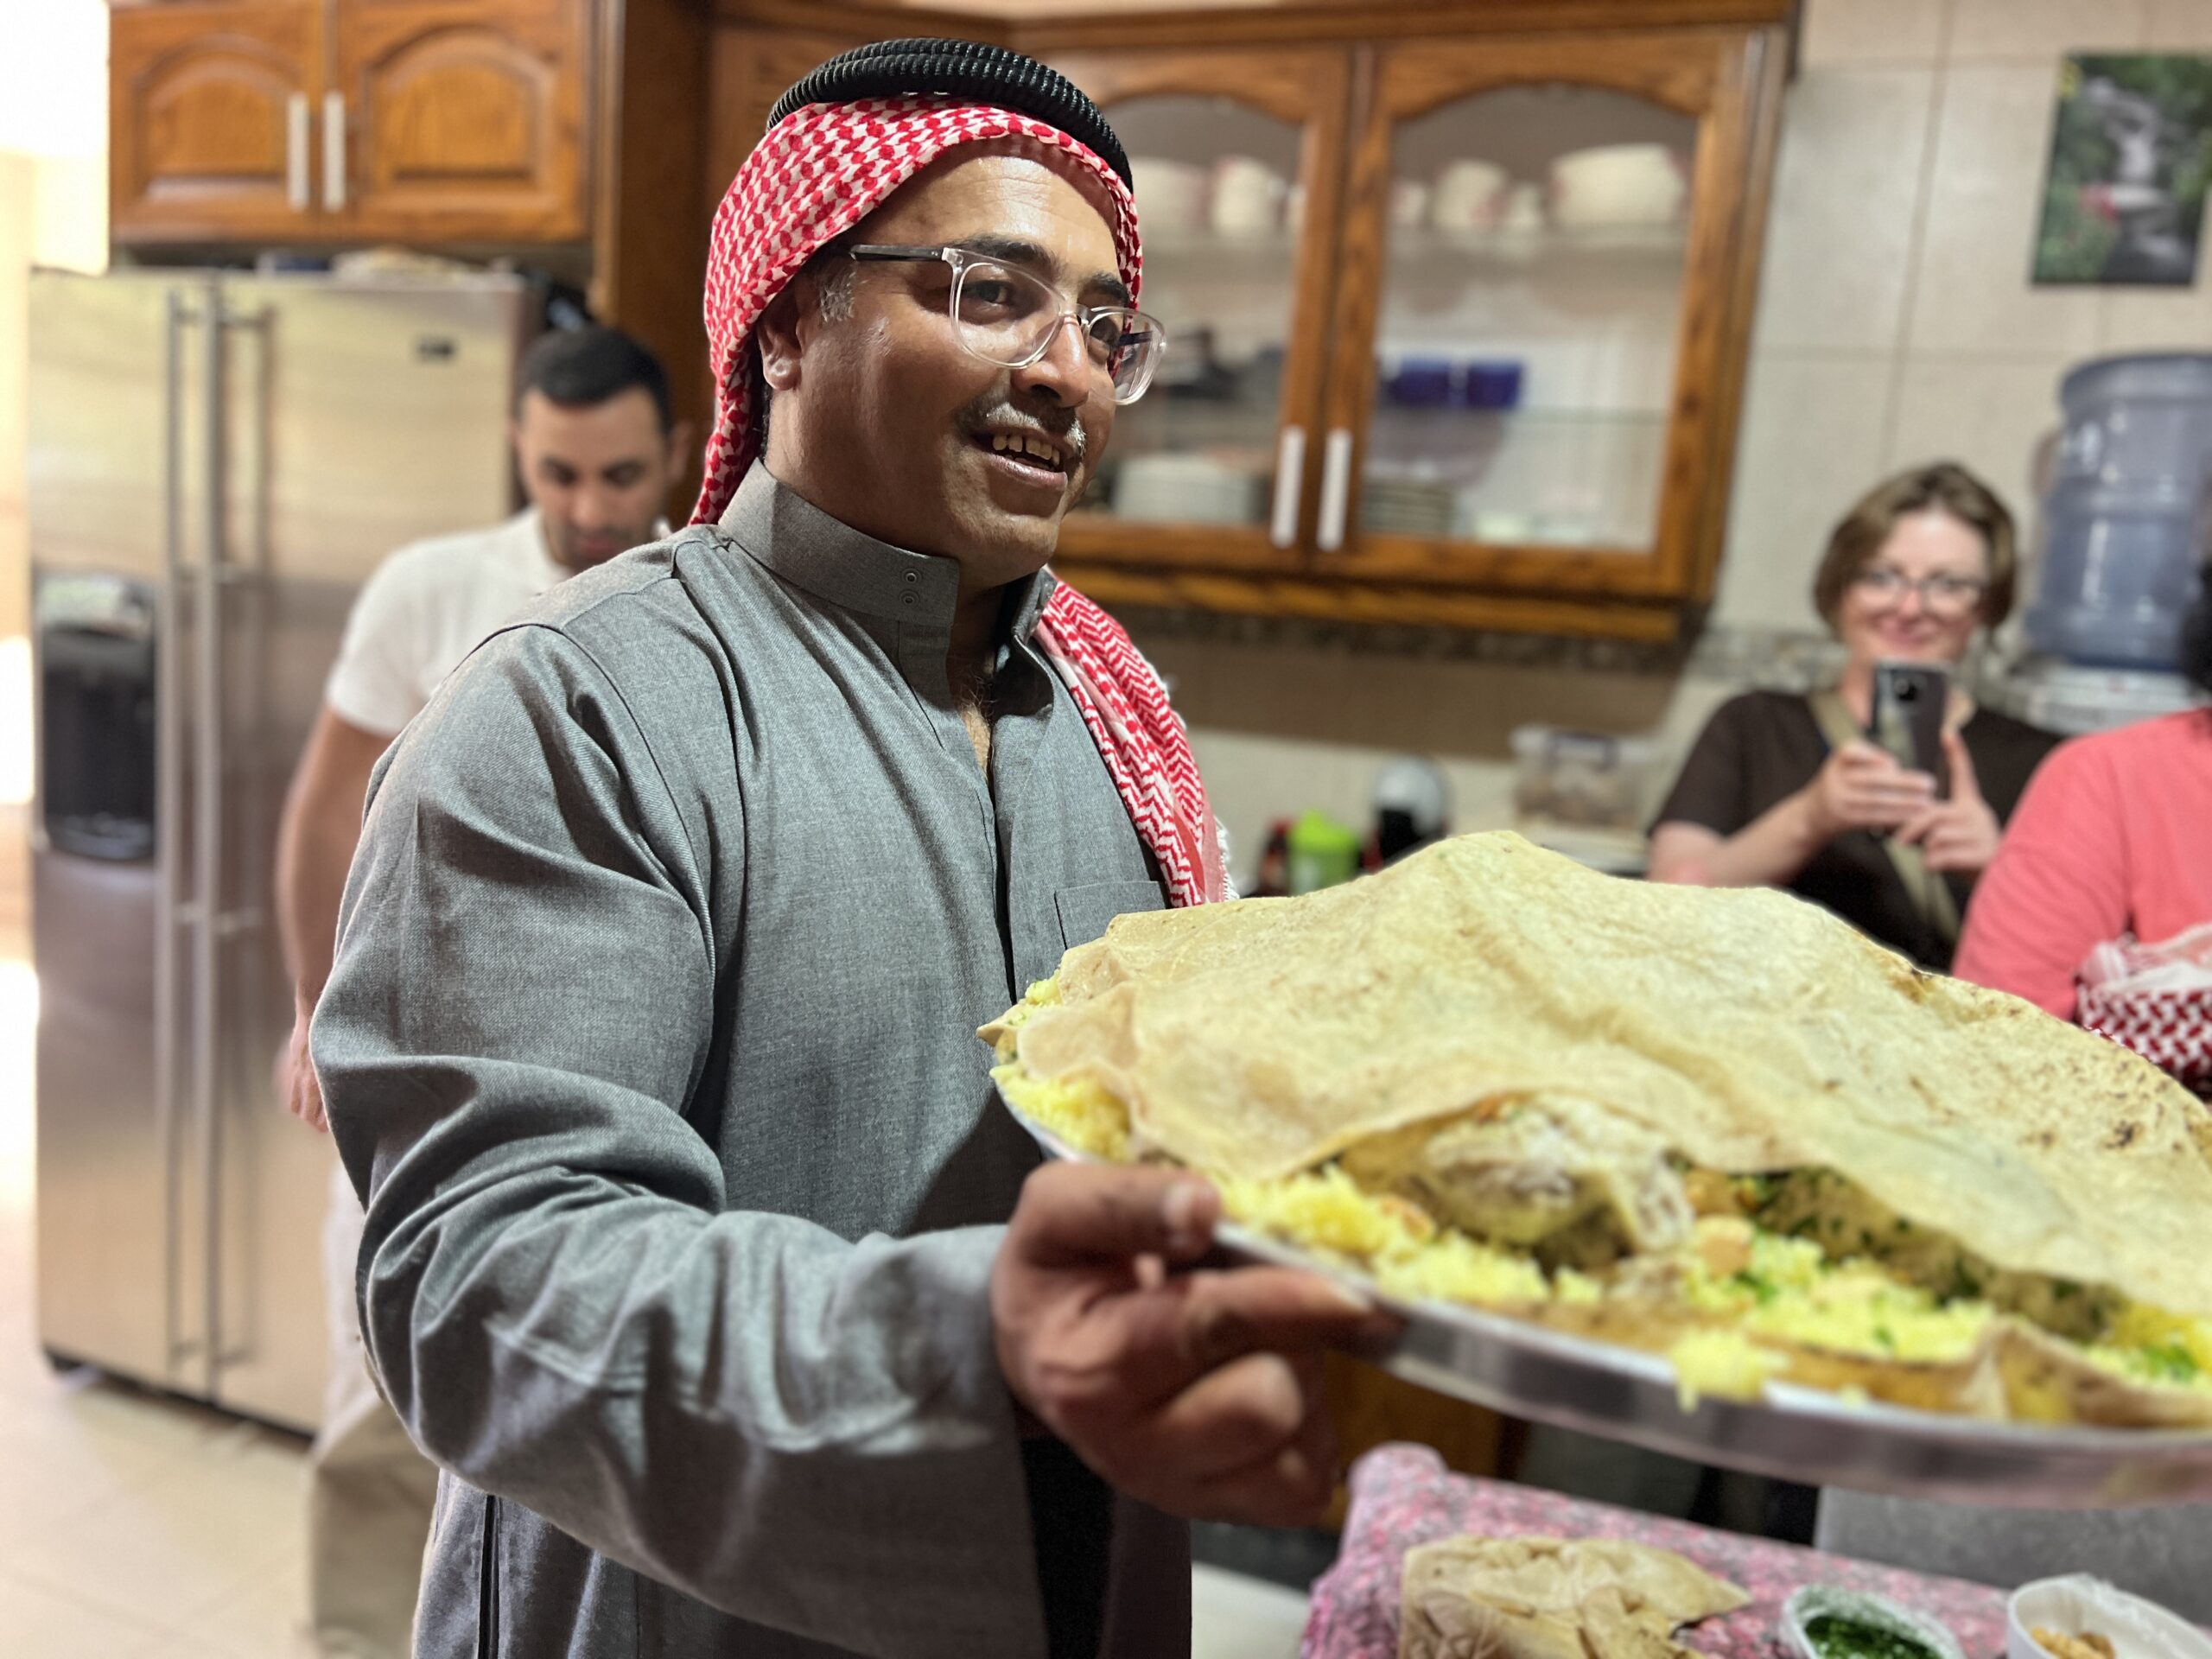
(1240, 174)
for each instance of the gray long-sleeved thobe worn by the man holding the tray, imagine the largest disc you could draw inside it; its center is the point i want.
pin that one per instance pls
(651, 1050)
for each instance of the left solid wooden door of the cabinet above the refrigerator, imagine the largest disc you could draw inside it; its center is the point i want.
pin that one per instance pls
(209, 121)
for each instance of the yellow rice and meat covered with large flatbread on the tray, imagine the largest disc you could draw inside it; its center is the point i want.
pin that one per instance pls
(1715, 1125)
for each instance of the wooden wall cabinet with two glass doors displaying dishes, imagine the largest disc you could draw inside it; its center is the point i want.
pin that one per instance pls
(1375, 408)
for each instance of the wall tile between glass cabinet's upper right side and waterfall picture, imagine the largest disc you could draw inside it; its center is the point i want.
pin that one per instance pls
(1846, 202)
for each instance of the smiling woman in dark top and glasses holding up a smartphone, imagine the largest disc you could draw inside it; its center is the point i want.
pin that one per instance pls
(1793, 793)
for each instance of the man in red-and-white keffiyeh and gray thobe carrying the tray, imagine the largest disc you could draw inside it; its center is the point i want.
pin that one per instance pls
(651, 1032)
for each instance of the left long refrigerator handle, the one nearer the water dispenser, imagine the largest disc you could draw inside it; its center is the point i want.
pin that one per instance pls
(169, 804)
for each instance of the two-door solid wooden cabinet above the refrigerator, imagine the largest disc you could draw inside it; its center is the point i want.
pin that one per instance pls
(432, 123)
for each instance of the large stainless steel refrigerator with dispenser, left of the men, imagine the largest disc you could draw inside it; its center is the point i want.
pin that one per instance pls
(218, 463)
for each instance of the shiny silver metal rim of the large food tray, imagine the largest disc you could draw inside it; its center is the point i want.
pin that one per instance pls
(1793, 1432)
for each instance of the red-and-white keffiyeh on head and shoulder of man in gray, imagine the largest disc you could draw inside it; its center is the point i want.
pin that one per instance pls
(815, 176)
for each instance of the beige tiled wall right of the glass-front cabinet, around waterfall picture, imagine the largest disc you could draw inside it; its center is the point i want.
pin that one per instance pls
(1897, 320)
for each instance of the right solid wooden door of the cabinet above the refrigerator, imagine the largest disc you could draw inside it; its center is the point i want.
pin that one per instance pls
(459, 121)
